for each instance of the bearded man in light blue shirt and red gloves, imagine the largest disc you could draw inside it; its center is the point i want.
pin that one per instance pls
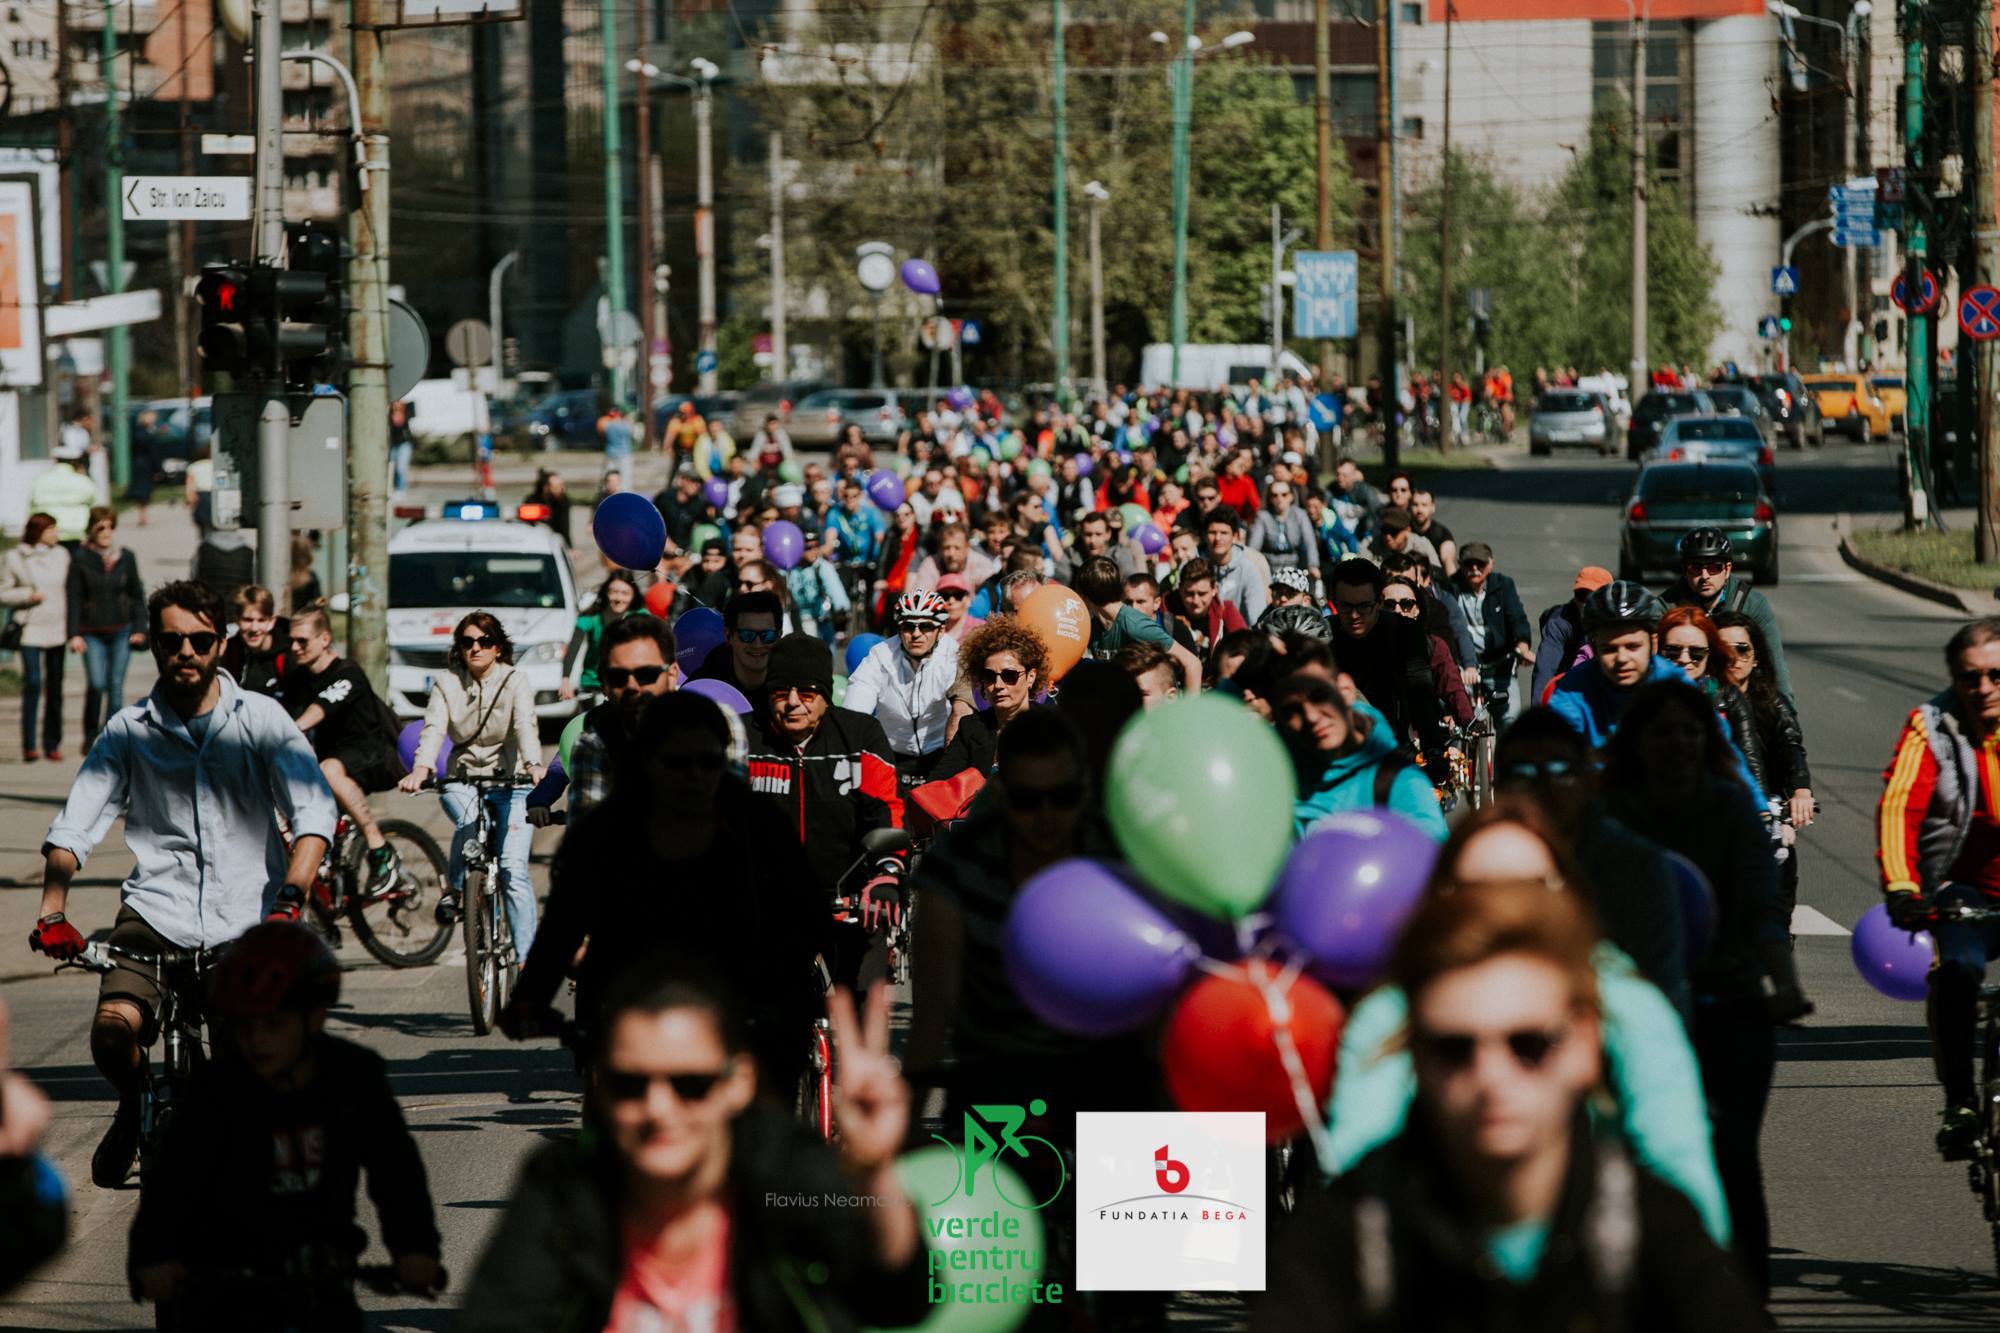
(199, 772)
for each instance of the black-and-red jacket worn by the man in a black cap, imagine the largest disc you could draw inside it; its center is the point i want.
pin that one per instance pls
(837, 790)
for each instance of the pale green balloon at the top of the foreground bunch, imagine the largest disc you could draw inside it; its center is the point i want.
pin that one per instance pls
(1201, 798)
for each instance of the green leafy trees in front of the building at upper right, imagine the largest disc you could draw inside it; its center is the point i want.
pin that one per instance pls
(1561, 271)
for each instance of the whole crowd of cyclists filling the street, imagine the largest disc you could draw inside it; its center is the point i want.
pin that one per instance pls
(1553, 1104)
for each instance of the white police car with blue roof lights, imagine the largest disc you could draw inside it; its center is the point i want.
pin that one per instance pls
(477, 559)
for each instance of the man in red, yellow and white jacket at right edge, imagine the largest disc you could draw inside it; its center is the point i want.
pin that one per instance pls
(1939, 844)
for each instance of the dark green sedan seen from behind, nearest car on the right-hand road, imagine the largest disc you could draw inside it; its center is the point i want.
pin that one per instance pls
(1669, 499)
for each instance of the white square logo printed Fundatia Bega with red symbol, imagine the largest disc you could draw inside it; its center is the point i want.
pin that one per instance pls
(1171, 1202)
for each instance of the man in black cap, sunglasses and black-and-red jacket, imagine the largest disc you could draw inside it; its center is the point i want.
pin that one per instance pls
(835, 778)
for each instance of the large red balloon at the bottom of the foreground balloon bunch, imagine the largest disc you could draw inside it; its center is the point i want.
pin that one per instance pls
(1221, 1050)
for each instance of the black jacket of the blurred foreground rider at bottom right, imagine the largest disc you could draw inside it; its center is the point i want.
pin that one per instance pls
(1389, 1248)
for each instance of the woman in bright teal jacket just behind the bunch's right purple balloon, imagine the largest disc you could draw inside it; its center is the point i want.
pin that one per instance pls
(1347, 760)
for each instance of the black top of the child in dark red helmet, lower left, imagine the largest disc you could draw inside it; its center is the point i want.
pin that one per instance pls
(249, 1178)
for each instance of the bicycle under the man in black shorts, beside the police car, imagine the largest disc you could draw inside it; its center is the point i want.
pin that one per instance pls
(397, 924)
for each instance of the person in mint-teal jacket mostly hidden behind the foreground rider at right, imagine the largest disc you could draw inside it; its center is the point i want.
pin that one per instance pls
(1651, 1072)
